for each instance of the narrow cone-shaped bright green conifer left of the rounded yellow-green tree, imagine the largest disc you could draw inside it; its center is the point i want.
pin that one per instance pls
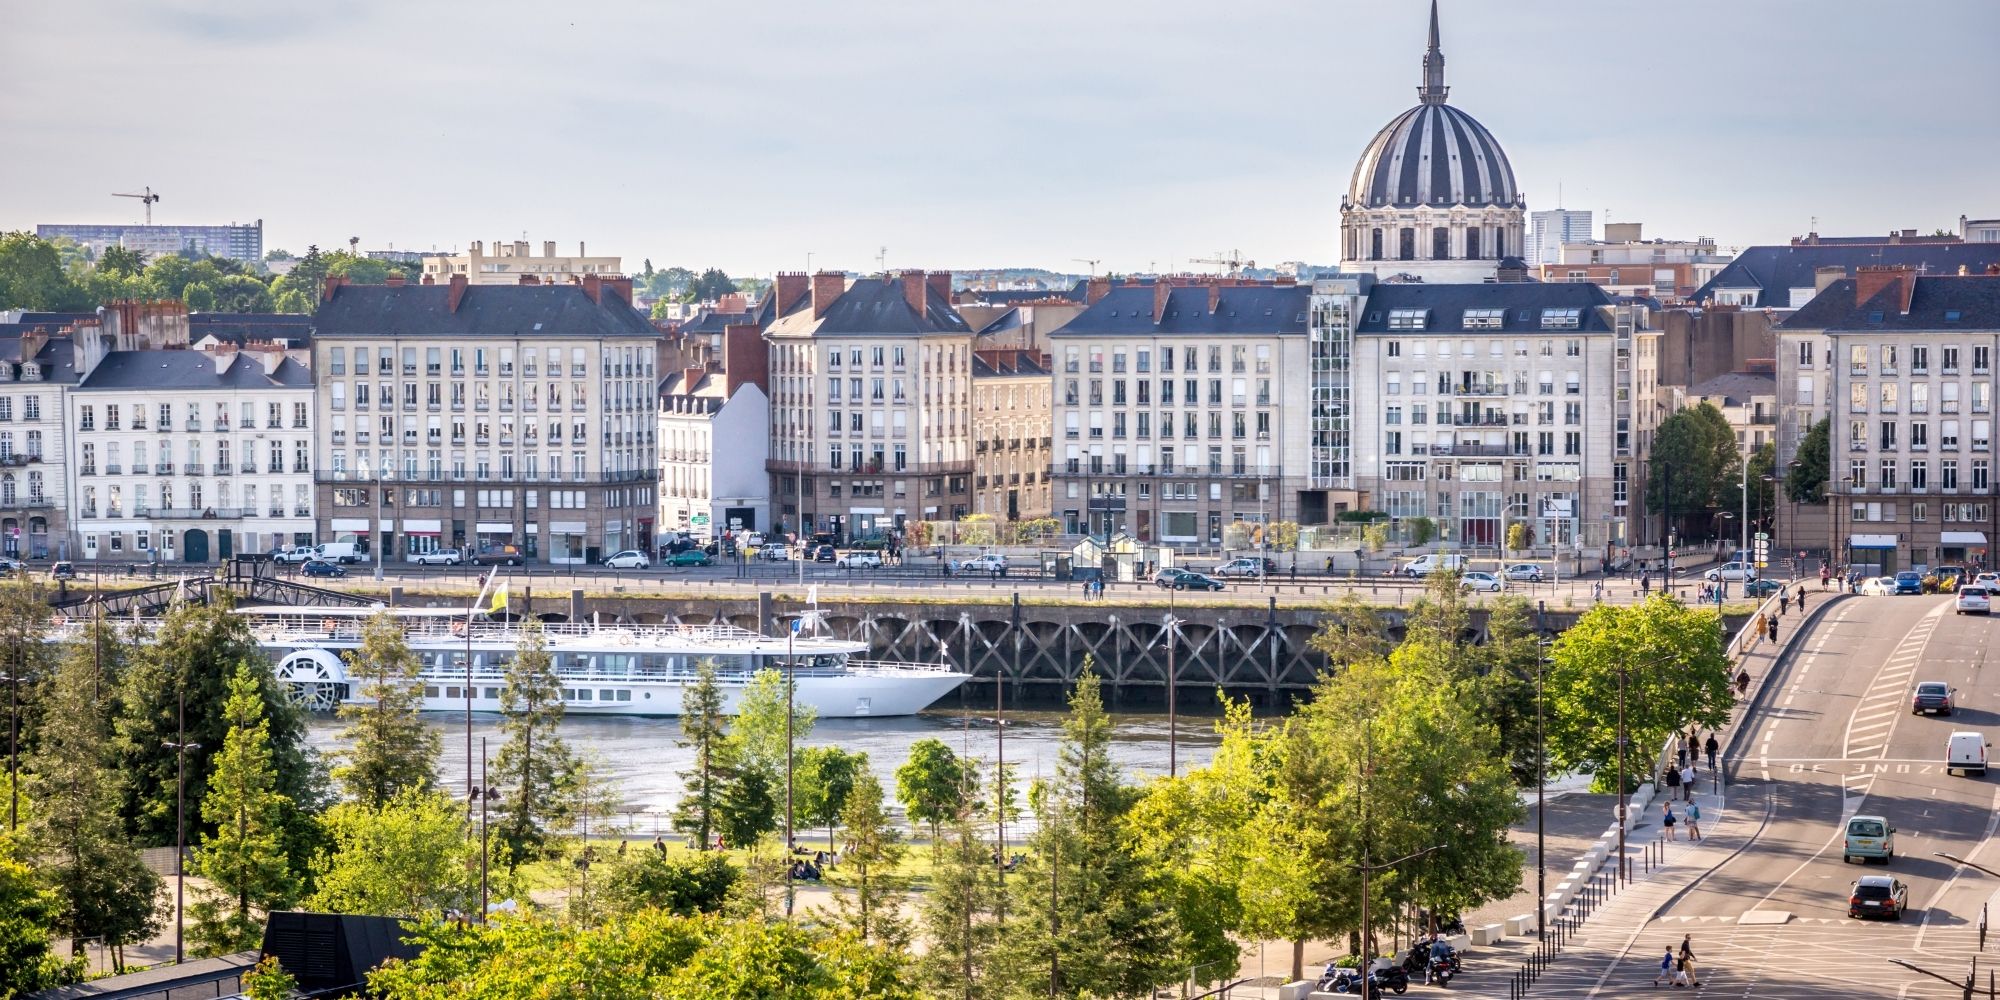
(243, 855)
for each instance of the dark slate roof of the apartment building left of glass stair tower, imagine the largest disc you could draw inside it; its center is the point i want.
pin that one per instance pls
(1245, 309)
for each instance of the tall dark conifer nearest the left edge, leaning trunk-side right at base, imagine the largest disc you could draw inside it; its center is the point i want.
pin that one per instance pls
(99, 883)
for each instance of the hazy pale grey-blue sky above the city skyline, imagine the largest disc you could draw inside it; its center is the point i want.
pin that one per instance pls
(1023, 133)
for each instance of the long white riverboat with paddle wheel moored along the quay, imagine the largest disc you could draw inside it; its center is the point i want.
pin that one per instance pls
(605, 669)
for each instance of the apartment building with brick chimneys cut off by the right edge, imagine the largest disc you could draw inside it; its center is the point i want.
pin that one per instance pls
(1903, 365)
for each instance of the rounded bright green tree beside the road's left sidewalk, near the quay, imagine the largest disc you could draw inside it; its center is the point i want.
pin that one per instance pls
(1675, 667)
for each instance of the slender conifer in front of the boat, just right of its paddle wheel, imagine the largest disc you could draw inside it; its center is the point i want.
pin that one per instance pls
(389, 745)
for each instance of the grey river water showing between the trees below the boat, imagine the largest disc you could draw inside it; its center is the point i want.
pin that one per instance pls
(645, 761)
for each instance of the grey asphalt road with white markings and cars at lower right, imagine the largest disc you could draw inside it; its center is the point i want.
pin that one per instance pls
(1837, 739)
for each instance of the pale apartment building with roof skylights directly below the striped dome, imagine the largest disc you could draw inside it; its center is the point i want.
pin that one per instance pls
(1489, 405)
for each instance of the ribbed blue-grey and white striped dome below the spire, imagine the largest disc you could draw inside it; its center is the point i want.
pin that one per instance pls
(1433, 155)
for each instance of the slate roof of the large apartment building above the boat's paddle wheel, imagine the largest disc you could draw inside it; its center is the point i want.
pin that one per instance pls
(485, 311)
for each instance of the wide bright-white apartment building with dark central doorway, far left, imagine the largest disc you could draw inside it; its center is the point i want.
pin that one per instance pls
(185, 455)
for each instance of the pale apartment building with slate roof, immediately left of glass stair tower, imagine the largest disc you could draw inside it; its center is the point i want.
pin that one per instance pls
(1181, 405)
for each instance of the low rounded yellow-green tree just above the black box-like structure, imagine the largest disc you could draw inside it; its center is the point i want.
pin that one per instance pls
(403, 857)
